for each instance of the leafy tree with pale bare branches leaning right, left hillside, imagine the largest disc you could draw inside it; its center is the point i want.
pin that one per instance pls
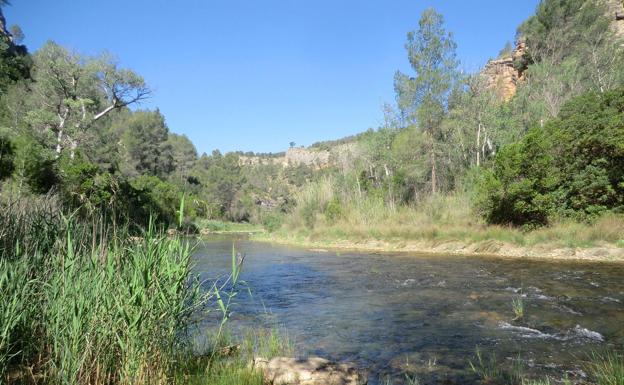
(72, 93)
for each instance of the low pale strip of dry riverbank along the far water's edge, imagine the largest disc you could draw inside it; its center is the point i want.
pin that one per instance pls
(489, 241)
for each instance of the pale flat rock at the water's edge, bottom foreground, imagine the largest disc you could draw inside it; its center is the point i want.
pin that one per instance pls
(310, 371)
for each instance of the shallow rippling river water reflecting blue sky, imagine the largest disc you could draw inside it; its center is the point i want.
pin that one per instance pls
(395, 314)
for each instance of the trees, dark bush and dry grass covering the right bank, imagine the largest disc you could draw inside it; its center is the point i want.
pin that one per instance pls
(456, 162)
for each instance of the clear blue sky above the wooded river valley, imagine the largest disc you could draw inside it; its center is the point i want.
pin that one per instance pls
(255, 75)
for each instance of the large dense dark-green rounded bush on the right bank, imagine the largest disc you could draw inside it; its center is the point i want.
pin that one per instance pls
(573, 167)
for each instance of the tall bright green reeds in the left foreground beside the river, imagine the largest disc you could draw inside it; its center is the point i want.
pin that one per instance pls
(90, 305)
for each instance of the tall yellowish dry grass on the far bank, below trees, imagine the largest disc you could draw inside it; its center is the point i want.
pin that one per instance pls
(326, 212)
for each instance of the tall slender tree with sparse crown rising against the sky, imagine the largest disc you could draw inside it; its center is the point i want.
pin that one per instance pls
(423, 99)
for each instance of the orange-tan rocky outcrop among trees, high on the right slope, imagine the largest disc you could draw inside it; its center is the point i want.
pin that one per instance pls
(502, 75)
